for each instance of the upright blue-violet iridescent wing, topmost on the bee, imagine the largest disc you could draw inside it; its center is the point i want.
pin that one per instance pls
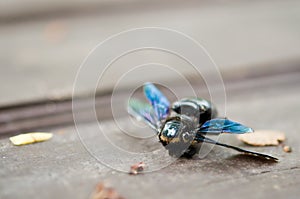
(159, 102)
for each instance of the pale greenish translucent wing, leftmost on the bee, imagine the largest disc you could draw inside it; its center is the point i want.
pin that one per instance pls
(142, 111)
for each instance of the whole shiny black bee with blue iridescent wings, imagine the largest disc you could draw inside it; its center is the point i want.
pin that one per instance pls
(183, 126)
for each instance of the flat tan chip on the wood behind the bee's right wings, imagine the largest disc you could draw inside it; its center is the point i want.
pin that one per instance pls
(262, 138)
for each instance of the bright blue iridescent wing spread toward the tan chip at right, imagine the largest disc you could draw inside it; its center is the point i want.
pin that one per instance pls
(223, 125)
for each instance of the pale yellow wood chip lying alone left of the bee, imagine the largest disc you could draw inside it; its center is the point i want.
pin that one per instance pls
(29, 138)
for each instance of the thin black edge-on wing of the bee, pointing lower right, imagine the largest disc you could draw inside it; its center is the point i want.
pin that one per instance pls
(201, 138)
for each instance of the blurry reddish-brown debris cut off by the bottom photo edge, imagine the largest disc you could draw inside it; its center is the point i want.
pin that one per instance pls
(105, 192)
